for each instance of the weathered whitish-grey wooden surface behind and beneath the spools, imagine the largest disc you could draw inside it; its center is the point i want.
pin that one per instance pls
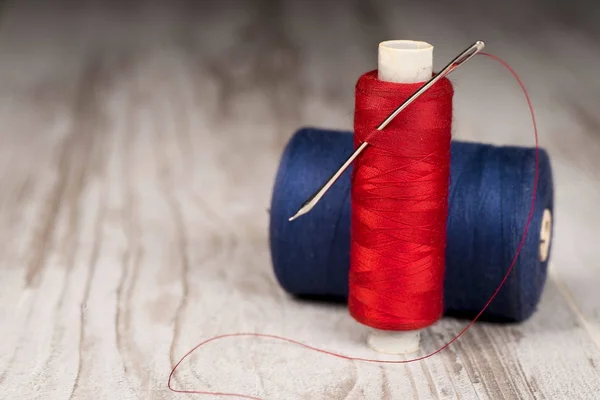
(138, 146)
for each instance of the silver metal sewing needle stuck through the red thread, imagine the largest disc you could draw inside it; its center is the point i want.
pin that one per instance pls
(459, 60)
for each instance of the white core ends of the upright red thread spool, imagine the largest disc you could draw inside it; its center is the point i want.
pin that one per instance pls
(401, 61)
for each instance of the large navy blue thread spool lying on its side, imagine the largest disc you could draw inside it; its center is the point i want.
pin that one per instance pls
(490, 197)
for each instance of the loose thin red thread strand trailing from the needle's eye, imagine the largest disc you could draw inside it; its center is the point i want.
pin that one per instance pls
(342, 356)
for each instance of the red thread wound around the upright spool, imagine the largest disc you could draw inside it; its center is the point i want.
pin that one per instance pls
(399, 205)
